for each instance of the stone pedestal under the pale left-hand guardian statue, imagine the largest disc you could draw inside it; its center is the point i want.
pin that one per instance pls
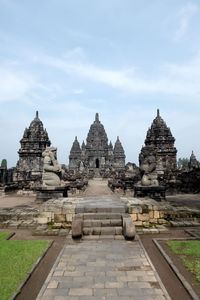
(45, 193)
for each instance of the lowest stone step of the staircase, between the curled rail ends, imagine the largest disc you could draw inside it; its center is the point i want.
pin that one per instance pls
(102, 230)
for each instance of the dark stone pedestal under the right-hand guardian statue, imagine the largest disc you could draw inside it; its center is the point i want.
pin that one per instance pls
(155, 192)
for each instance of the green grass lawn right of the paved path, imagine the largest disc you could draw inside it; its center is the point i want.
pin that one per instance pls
(189, 252)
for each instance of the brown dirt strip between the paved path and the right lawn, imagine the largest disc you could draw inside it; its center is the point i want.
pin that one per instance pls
(172, 284)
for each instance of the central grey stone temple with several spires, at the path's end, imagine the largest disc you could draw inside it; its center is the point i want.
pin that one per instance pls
(96, 157)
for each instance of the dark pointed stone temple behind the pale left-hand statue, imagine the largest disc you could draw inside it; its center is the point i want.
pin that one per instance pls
(34, 142)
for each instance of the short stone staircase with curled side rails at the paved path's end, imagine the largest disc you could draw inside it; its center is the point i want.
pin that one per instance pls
(102, 221)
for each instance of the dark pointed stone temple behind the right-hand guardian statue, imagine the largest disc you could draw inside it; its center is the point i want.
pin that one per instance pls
(159, 143)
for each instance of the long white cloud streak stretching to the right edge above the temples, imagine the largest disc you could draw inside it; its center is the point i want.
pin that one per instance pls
(174, 79)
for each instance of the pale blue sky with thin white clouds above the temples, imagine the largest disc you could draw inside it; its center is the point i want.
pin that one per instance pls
(121, 58)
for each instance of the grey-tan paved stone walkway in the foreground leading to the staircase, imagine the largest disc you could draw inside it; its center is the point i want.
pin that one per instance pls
(103, 269)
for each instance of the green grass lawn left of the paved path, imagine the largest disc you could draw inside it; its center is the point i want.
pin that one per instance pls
(16, 260)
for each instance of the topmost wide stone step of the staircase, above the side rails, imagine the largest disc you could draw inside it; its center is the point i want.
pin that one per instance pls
(100, 209)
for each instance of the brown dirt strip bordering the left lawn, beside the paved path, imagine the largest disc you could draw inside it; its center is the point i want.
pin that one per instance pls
(36, 280)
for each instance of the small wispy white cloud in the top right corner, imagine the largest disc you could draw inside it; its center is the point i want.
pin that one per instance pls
(184, 17)
